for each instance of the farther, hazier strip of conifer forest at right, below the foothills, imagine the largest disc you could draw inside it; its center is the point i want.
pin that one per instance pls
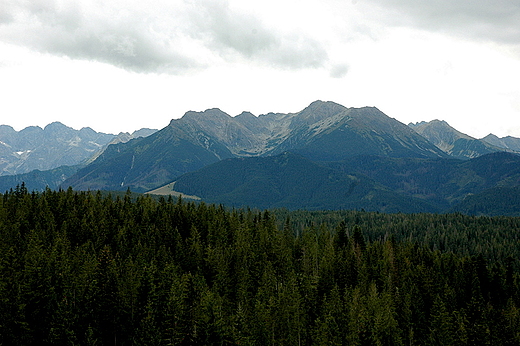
(496, 238)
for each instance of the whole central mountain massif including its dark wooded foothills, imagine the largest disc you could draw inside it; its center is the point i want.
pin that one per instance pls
(326, 156)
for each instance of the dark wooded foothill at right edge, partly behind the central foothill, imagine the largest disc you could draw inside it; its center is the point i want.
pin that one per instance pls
(441, 182)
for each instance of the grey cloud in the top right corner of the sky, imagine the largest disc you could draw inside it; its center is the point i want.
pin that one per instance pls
(495, 20)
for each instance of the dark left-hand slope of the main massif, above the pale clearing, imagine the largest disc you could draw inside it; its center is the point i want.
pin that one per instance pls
(145, 163)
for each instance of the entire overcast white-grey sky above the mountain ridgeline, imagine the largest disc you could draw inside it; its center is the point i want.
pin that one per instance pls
(123, 65)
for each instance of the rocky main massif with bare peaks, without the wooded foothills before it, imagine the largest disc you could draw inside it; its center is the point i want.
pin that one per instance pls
(324, 131)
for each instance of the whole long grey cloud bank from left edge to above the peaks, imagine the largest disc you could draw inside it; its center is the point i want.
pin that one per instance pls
(155, 39)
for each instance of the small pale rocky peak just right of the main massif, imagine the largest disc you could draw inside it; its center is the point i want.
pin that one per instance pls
(454, 143)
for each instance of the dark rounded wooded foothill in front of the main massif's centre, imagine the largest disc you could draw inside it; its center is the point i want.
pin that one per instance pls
(291, 181)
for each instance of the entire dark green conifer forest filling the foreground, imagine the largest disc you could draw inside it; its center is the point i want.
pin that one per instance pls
(86, 268)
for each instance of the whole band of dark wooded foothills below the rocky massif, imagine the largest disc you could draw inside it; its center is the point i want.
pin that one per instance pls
(377, 183)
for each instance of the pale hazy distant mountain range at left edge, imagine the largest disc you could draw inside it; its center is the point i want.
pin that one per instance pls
(42, 157)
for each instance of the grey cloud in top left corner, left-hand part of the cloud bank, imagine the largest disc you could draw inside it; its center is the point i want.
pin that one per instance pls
(127, 41)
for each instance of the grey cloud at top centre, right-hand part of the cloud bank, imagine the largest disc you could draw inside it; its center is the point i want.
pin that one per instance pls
(229, 32)
